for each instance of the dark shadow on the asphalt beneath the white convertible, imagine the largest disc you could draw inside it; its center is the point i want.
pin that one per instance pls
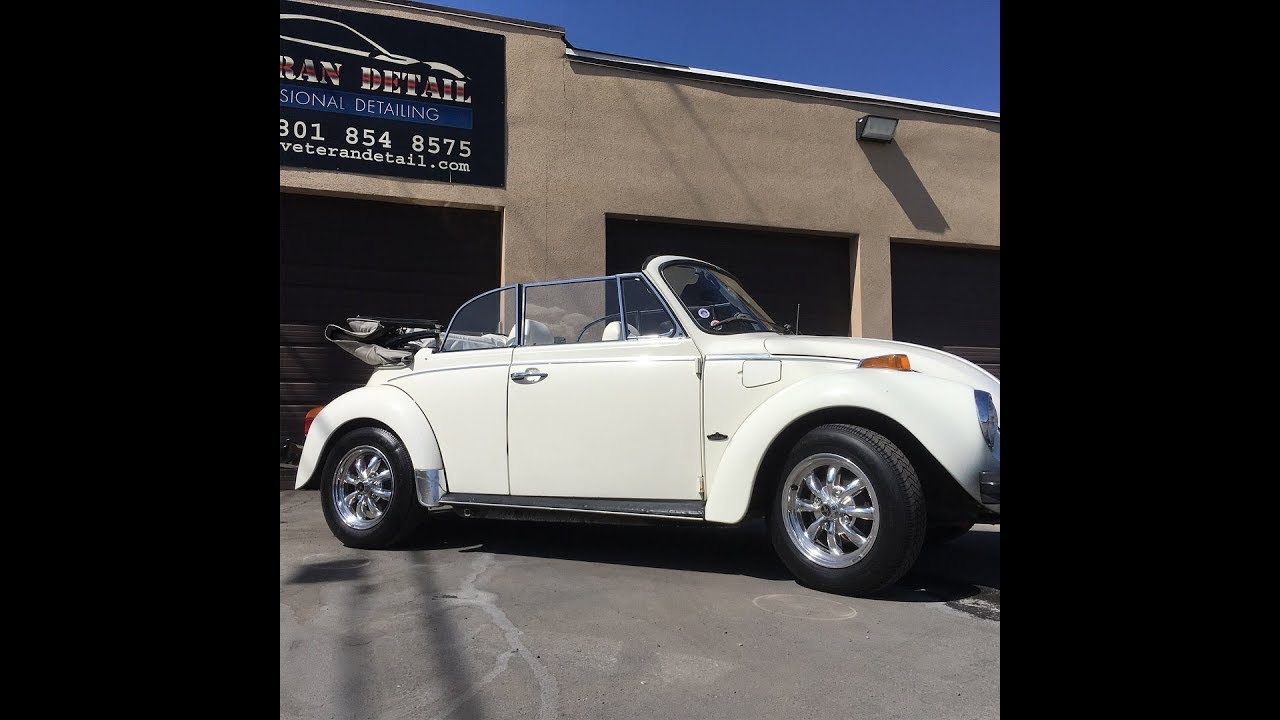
(944, 573)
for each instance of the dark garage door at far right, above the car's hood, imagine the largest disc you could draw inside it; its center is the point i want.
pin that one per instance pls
(949, 298)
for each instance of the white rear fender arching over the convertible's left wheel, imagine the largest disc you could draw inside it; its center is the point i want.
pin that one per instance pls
(391, 407)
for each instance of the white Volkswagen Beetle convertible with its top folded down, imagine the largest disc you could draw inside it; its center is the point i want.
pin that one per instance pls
(664, 395)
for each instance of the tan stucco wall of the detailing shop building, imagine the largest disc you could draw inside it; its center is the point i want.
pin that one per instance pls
(587, 142)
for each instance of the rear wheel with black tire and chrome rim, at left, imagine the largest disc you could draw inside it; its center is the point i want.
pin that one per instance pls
(368, 490)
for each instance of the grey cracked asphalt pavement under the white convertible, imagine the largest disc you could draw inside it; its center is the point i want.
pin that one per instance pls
(510, 619)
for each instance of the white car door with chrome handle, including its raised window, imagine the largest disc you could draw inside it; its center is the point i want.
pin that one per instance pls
(600, 409)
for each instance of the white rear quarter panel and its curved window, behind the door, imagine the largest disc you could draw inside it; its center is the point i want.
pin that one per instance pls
(463, 391)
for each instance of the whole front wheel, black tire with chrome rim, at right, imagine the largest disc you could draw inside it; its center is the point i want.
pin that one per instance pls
(848, 514)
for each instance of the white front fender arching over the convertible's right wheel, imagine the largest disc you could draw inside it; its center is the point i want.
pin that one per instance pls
(940, 413)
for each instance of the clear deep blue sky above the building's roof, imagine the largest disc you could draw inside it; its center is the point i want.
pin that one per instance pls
(934, 51)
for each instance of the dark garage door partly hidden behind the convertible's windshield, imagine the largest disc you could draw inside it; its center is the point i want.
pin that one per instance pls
(780, 270)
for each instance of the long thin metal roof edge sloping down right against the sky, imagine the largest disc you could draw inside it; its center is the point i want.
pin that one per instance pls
(778, 85)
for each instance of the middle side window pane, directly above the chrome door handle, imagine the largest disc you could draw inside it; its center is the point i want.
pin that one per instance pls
(572, 313)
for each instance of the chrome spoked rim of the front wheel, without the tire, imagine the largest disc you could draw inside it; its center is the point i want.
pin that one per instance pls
(830, 511)
